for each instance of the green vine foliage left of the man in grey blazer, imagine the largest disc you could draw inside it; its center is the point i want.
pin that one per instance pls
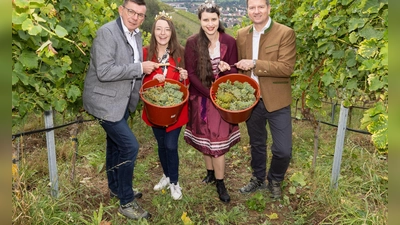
(50, 47)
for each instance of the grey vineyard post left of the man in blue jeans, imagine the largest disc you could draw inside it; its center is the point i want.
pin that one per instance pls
(51, 152)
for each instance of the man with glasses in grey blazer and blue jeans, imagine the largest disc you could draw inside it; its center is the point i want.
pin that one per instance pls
(111, 90)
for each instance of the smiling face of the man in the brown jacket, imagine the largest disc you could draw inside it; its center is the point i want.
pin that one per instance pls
(258, 12)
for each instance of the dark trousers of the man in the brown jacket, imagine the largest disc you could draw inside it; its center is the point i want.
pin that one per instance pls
(280, 124)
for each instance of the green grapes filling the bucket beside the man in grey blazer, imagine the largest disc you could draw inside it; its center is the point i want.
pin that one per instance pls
(167, 95)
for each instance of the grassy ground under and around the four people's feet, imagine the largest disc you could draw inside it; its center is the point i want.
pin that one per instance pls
(361, 196)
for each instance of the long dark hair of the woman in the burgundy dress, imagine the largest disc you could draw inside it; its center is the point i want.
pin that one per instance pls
(204, 67)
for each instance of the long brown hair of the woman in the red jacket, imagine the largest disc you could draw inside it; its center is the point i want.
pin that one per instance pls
(176, 50)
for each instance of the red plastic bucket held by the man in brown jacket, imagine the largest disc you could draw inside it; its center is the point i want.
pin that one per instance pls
(240, 115)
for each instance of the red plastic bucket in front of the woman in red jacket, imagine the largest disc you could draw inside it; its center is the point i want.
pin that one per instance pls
(163, 115)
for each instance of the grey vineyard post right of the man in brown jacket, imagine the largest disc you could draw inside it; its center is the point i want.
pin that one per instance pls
(339, 145)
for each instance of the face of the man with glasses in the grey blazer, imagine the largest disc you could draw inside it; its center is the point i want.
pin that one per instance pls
(132, 15)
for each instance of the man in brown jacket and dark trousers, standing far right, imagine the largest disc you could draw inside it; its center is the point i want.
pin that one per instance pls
(267, 53)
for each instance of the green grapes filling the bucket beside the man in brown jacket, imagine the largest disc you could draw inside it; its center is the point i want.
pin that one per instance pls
(235, 96)
